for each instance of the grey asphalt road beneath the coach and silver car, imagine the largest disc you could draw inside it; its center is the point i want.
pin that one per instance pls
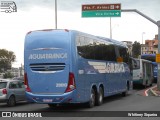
(134, 101)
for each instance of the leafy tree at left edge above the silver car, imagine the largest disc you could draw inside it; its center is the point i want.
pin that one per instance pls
(6, 59)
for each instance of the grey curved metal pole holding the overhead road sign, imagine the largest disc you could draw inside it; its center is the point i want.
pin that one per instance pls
(158, 24)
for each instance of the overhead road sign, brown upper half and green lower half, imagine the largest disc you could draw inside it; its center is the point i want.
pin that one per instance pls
(101, 10)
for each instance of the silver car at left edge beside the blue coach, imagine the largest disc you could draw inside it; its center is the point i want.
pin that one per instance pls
(12, 91)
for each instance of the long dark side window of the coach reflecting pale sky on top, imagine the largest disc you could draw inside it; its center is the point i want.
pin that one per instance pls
(89, 48)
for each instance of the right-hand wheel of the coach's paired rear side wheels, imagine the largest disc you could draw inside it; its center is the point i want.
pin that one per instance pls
(99, 97)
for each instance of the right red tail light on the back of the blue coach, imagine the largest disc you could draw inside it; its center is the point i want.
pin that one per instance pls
(71, 83)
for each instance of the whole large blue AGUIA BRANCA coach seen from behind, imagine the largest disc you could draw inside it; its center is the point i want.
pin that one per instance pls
(67, 66)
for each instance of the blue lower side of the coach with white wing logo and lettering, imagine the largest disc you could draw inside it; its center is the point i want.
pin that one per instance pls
(98, 72)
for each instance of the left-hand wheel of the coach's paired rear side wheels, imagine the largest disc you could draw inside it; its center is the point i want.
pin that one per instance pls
(92, 100)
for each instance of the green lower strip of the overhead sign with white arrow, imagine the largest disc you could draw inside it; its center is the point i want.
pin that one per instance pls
(102, 13)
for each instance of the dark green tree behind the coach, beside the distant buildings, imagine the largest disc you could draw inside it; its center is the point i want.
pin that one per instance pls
(136, 49)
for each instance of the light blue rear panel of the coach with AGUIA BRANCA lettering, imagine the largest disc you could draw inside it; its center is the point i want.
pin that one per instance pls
(47, 62)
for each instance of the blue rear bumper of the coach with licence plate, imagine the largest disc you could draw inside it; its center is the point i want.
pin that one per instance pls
(49, 99)
